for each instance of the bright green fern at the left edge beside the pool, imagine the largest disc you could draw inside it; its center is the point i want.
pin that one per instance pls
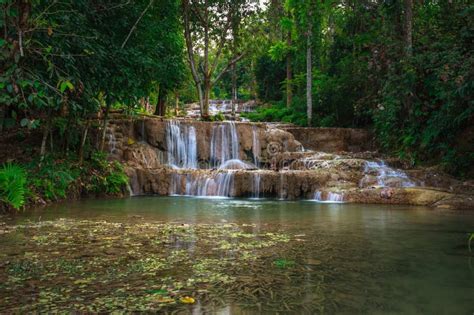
(13, 185)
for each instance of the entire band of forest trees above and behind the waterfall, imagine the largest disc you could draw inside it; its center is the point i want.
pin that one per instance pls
(401, 68)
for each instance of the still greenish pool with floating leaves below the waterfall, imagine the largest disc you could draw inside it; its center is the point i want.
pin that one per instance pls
(239, 256)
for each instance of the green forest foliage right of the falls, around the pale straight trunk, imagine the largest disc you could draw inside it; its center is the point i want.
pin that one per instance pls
(419, 101)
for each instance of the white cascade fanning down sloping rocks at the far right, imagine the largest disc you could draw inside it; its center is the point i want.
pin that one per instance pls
(384, 174)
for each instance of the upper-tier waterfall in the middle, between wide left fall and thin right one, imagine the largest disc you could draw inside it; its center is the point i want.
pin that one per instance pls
(224, 144)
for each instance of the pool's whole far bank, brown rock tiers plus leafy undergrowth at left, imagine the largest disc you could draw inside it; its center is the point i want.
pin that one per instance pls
(156, 156)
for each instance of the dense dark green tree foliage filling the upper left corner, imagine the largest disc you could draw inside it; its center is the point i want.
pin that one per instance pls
(66, 59)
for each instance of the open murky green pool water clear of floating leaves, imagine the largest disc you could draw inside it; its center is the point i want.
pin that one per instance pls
(346, 258)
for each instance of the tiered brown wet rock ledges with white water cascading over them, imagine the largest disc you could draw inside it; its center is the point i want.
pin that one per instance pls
(239, 159)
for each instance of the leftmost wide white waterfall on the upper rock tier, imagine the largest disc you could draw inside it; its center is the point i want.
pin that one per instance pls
(181, 145)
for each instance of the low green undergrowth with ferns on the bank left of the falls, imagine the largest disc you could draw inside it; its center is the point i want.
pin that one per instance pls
(59, 177)
